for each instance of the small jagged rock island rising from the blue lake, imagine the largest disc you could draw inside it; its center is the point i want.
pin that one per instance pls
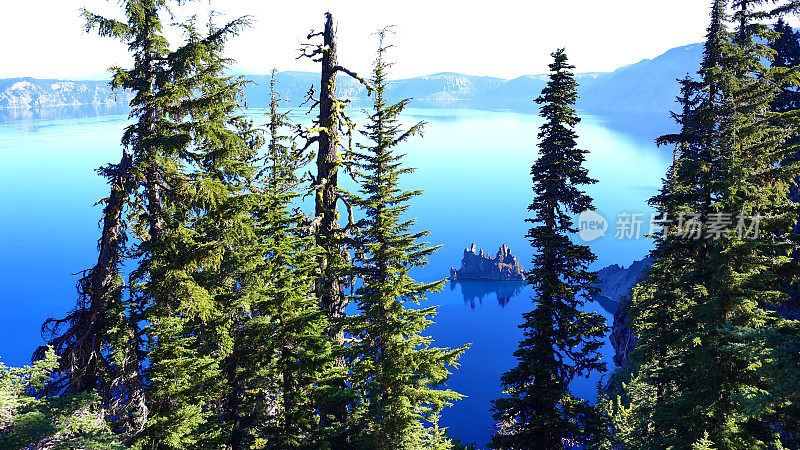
(476, 266)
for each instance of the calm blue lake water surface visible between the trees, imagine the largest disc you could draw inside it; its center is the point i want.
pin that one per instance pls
(473, 165)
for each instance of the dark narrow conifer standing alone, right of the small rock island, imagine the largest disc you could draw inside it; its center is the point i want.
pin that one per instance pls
(561, 341)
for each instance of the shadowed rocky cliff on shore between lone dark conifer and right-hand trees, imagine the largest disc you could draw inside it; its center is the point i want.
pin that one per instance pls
(615, 286)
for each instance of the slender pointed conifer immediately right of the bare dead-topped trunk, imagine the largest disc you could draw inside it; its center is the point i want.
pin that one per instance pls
(396, 372)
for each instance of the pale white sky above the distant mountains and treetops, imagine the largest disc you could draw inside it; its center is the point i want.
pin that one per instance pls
(504, 38)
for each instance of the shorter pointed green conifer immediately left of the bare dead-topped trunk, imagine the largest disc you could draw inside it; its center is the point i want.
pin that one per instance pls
(281, 349)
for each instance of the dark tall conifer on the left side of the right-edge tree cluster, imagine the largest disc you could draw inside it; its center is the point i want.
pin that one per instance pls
(660, 303)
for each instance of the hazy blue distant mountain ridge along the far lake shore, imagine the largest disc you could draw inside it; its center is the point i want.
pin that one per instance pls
(645, 87)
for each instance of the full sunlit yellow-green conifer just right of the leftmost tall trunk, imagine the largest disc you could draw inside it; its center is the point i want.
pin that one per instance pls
(190, 279)
